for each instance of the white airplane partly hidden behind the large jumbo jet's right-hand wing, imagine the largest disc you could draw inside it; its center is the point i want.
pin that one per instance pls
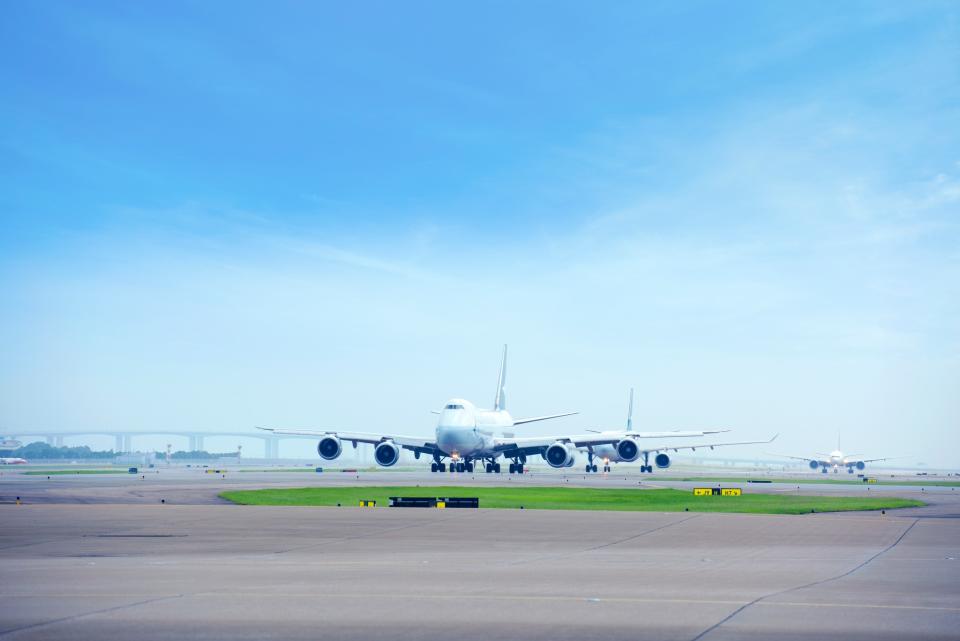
(629, 449)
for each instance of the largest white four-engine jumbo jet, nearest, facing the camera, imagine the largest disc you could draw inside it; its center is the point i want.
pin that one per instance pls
(465, 435)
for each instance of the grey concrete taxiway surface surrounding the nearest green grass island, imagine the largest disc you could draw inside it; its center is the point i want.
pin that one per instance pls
(100, 557)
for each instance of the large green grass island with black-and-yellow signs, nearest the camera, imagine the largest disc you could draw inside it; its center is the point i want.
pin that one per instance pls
(563, 498)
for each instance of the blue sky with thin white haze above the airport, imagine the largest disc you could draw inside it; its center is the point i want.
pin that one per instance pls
(320, 215)
